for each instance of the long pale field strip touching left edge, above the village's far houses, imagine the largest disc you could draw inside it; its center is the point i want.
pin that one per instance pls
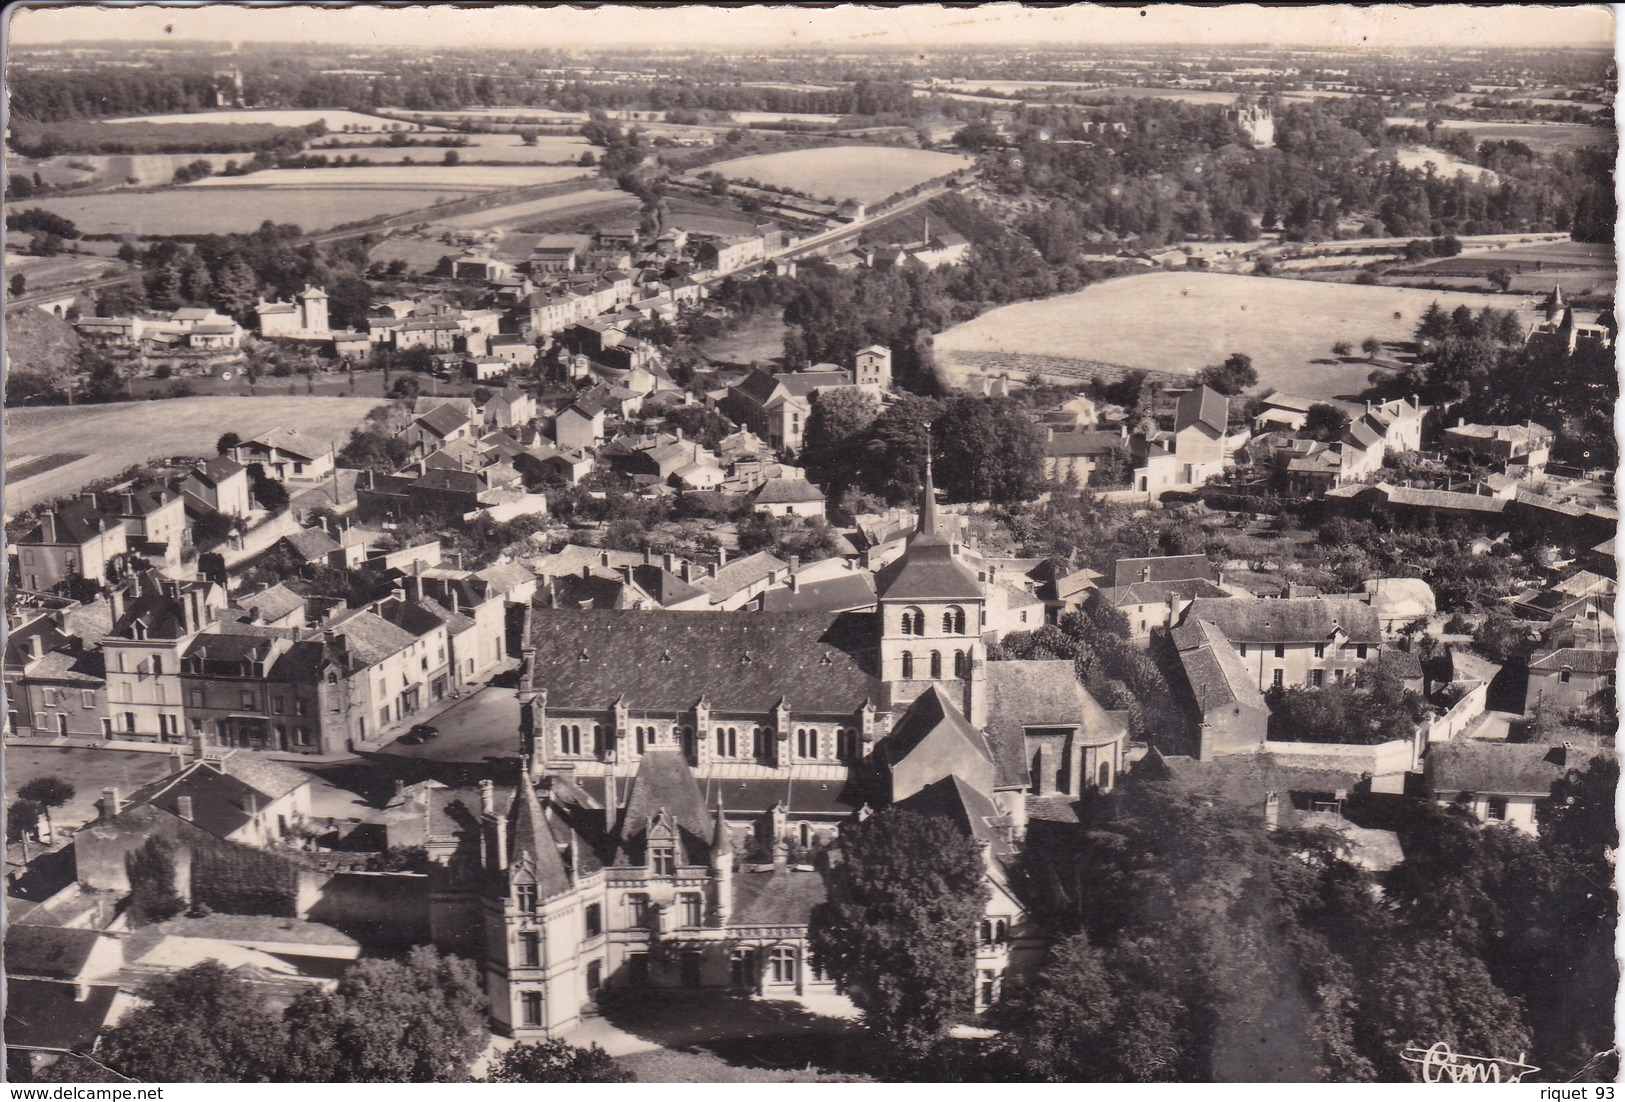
(225, 210)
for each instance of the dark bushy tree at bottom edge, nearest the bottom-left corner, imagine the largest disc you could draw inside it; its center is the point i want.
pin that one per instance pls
(201, 1025)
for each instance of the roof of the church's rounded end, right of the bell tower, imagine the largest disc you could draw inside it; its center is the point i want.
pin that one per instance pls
(1039, 693)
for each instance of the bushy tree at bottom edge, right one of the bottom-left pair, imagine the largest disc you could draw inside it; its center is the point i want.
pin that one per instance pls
(422, 1020)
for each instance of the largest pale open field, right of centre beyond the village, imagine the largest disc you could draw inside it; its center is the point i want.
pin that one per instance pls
(1185, 323)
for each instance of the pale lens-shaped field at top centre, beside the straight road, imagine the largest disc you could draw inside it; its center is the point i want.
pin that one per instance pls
(859, 171)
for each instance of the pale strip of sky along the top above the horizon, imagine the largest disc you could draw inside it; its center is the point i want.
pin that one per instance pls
(768, 28)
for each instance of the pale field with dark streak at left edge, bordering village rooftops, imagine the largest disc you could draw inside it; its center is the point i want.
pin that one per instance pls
(139, 432)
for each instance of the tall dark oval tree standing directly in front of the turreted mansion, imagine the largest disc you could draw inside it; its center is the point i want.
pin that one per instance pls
(899, 934)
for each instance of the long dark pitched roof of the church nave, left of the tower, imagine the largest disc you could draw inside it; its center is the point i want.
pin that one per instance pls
(664, 661)
